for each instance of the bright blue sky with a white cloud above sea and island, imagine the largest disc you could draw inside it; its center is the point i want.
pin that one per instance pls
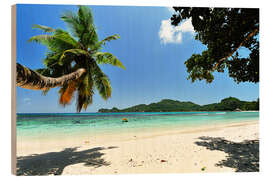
(152, 51)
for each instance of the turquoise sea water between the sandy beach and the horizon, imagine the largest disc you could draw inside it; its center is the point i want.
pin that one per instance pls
(71, 123)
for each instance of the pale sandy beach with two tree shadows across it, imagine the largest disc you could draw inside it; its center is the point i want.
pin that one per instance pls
(220, 148)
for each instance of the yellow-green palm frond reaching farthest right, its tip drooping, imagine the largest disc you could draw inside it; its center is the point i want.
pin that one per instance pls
(108, 58)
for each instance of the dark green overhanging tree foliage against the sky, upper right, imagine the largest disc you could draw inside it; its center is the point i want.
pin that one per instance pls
(224, 31)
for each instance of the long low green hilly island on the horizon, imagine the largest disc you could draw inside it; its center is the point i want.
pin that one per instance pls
(168, 105)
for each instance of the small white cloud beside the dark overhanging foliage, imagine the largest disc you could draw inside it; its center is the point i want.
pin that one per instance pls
(173, 34)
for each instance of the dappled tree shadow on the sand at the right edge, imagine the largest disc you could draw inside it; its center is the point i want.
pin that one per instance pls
(242, 156)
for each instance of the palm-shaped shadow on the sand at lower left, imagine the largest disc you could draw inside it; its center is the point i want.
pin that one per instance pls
(55, 162)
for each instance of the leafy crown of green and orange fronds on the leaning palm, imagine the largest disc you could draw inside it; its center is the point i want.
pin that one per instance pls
(79, 50)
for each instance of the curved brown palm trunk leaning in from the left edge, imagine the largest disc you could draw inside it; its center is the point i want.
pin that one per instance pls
(29, 79)
